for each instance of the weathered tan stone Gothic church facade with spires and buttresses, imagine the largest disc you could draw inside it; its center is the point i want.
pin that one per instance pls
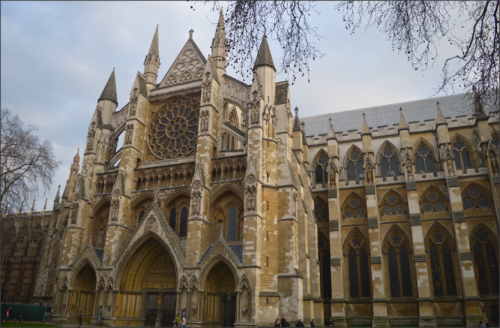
(219, 207)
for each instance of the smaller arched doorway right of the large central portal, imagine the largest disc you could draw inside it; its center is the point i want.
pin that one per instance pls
(219, 299)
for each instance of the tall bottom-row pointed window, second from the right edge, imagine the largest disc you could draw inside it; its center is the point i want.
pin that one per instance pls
(442, 267)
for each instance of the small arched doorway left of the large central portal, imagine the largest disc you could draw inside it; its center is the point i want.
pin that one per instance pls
(82, 296)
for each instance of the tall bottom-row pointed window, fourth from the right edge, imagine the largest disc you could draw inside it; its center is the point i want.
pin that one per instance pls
(359, 269)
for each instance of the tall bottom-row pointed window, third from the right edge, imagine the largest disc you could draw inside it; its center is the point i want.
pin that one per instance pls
(398, 259)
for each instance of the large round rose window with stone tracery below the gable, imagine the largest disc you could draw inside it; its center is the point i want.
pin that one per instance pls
(174, 129)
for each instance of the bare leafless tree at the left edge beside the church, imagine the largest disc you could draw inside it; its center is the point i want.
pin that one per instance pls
(28, 163)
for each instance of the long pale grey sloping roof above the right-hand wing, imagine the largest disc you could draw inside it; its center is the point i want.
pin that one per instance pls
(389, 115)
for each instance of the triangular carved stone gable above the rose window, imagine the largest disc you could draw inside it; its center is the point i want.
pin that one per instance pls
(188, 66)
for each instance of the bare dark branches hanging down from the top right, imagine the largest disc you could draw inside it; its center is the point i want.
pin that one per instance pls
(415, 28)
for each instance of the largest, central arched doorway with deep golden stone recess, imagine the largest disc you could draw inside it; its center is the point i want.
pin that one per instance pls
(148, 286)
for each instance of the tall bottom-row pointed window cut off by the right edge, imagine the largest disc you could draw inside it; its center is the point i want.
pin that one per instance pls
(485, 255)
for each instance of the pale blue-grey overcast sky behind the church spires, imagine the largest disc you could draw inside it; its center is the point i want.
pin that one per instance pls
(57, 56)
